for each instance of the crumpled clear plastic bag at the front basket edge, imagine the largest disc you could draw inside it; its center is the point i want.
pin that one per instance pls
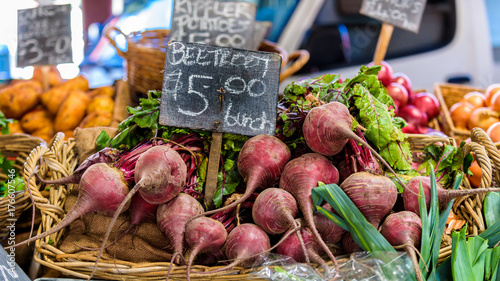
(360, 266)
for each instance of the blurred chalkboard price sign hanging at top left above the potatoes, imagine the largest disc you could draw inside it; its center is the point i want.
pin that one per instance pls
(44, 35)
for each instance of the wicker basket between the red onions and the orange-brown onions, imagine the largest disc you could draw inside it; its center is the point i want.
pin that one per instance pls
(449, 94)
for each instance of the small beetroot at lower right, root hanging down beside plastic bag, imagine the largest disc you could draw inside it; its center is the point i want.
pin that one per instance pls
(404, 229)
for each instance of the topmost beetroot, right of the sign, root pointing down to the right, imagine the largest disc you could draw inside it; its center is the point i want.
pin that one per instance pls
(328, 127)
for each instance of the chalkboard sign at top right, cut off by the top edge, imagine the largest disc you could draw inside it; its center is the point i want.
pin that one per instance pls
(403, 14)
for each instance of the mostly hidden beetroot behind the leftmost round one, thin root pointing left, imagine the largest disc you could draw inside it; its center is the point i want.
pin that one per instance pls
(106, 155)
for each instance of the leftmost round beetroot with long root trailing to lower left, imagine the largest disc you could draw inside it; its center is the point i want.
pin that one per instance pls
(102, 190)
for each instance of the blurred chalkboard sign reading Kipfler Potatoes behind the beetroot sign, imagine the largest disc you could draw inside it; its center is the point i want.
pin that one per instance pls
(219, 23)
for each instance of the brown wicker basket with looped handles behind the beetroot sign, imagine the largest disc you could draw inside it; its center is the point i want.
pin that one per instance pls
(145, 57)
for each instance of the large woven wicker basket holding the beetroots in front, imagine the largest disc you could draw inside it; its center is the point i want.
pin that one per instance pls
(61, 160)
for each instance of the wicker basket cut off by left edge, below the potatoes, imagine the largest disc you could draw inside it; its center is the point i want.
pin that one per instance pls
(16, 147)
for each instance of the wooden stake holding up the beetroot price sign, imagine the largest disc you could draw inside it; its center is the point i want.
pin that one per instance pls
(213, 168)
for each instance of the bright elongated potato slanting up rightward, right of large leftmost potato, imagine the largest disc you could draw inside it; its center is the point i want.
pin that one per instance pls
(53, 98)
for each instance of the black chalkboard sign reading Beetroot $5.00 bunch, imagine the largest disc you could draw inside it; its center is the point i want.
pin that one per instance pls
(220, 89)
